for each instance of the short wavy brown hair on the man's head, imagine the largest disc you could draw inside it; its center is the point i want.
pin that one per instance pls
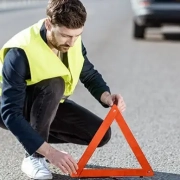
(69, 13)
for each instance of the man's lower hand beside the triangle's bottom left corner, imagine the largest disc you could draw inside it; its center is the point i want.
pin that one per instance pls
(60, 159)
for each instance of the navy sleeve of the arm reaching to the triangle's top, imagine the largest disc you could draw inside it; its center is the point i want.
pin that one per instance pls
(92, 79)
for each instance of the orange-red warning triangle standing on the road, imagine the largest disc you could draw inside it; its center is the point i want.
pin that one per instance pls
(146, 169)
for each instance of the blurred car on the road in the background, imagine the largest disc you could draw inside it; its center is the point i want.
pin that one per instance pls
(154, 13)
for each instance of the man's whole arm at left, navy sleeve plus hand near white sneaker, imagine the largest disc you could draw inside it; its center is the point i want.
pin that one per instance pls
(14, 86)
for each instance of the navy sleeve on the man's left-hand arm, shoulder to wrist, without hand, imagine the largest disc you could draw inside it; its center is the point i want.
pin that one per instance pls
(14, 72)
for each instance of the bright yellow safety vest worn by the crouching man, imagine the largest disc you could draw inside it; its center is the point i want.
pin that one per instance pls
(43, 63)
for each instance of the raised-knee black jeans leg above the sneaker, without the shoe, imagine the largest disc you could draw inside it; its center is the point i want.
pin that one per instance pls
(41, 104)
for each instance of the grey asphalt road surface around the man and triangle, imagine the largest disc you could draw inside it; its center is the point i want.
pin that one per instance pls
(145, 72)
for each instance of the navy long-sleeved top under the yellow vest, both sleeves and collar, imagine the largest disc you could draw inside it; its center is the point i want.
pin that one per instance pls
(15, 72)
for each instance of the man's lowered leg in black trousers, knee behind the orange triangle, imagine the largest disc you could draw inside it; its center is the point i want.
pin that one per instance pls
(75, 124)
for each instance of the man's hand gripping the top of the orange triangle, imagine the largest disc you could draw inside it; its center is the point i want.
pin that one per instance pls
(110, 100)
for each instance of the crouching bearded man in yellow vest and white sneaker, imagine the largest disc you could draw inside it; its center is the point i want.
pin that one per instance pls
(41, 67)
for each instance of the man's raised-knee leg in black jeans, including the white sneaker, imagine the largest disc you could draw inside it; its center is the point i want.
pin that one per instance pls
(41, 103)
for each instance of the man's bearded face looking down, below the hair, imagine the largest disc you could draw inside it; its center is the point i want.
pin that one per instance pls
(62, 38)
